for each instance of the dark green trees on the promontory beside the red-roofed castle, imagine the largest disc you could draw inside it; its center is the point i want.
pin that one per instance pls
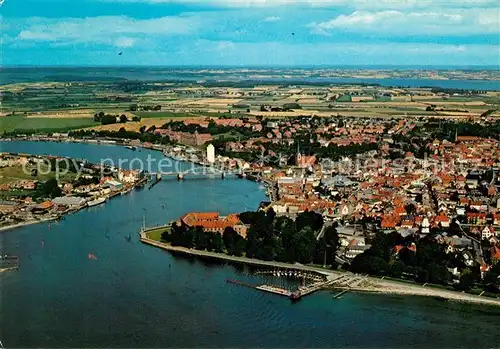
(269, 237)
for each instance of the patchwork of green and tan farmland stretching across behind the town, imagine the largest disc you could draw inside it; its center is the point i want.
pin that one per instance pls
(62, 106)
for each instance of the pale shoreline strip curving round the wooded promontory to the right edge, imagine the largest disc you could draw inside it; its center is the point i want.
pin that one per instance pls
(375, 285)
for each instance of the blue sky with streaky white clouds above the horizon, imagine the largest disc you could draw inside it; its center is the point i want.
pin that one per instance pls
(249, 32)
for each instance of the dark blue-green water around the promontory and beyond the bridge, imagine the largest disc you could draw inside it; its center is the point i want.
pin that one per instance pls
(139, 296)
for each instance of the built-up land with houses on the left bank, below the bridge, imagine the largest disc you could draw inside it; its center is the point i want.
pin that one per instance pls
(25, 199)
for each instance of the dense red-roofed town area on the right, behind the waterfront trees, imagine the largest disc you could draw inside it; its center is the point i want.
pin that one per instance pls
(454, 193)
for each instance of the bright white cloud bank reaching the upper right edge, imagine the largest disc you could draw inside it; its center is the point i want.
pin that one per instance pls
(395, 23)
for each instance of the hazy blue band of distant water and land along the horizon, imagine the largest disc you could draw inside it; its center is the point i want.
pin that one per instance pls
(16, 75)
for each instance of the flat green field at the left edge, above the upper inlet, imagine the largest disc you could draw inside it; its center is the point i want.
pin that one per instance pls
(20, 123)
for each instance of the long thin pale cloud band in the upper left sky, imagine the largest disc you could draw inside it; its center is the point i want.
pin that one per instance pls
(116, 30)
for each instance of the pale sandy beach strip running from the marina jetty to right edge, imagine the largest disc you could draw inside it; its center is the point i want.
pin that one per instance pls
(376, 285)
